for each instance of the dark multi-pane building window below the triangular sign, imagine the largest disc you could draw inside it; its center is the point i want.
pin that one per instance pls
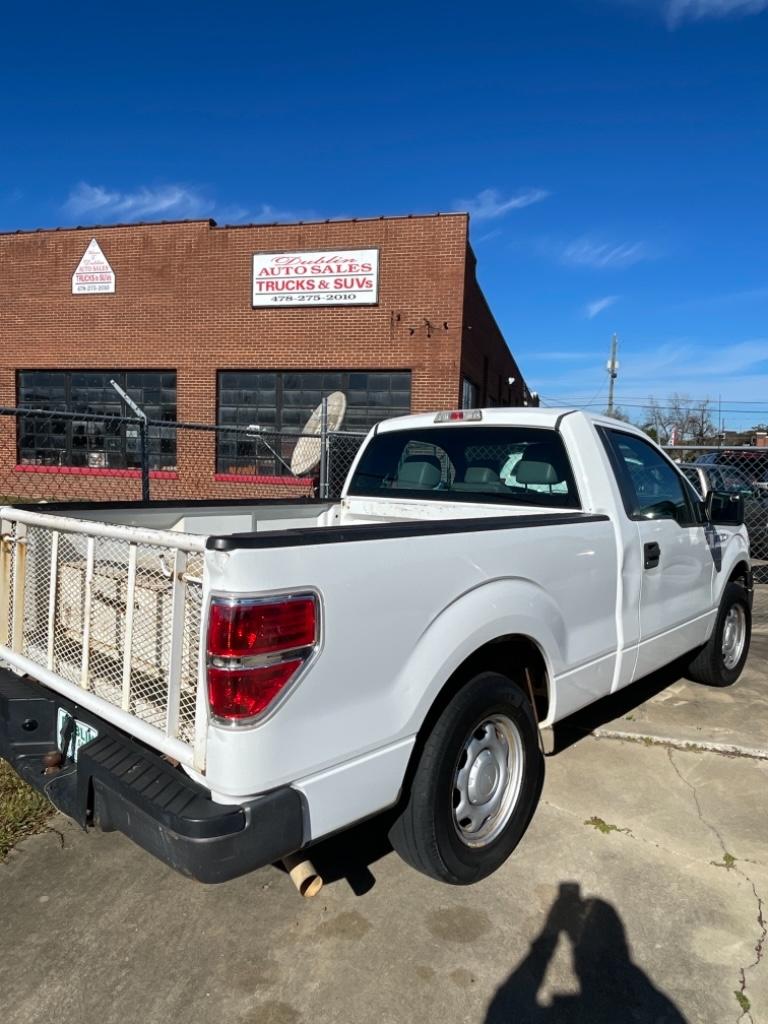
(102, 444)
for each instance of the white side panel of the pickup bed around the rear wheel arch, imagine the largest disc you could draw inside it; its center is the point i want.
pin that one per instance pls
(400, 615)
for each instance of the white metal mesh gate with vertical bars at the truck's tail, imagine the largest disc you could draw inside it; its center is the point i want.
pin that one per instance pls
(110, 617)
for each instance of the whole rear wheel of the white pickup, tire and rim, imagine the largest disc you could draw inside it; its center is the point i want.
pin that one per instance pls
(476, 786)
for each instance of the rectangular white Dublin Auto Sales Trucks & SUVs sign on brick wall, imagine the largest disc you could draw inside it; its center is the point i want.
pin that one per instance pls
(336, 278)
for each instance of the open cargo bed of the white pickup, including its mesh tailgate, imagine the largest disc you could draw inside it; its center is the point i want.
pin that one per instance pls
(110, 599)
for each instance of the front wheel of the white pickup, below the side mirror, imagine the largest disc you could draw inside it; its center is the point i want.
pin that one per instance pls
(722, 659)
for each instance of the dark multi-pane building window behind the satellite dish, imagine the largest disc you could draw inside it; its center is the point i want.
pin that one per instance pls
(283, 402)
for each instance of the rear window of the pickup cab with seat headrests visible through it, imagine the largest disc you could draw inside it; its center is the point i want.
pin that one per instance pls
(505, 465)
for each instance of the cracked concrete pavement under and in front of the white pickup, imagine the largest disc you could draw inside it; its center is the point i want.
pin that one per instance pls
(636, 895)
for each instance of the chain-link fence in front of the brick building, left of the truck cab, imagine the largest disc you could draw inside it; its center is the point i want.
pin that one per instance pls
(57, 456)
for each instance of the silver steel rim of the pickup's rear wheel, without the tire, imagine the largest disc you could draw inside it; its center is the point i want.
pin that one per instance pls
(488, 780)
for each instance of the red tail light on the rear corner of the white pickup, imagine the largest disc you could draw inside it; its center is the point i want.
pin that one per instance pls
(255, 649)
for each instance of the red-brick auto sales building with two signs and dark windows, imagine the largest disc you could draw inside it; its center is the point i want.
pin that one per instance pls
(236, 326)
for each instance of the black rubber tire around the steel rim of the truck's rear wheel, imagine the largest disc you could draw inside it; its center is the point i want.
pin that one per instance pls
(425, 833)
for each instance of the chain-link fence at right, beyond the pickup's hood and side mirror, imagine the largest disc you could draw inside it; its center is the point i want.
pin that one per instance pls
(741, 471)
